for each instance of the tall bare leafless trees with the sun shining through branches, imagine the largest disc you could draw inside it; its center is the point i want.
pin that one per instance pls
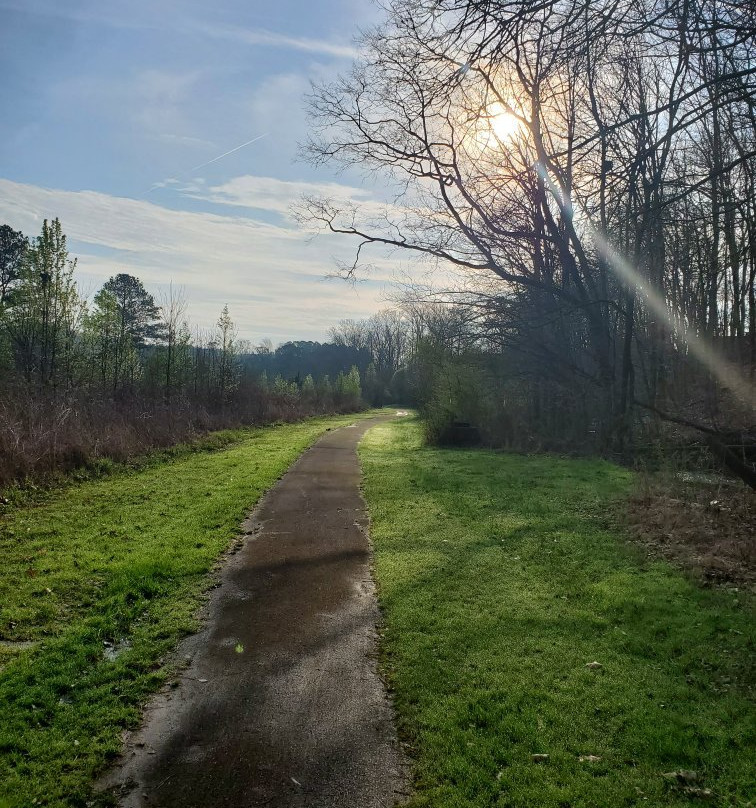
(589, 168)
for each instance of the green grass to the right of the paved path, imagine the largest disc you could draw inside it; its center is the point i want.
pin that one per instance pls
(500, 577)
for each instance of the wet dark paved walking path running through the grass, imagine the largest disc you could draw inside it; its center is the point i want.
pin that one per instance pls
(280, 704)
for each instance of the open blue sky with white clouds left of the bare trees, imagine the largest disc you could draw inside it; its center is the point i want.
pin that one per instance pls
(108, 106)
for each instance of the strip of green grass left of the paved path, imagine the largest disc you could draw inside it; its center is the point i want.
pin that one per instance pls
(124, 561)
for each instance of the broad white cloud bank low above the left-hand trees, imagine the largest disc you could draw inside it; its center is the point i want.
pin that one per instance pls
(272, 277)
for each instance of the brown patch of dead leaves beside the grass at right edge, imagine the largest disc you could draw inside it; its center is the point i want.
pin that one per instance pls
(704, 524)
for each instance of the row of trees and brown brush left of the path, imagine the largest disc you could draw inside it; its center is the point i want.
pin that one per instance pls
(121, 373)
